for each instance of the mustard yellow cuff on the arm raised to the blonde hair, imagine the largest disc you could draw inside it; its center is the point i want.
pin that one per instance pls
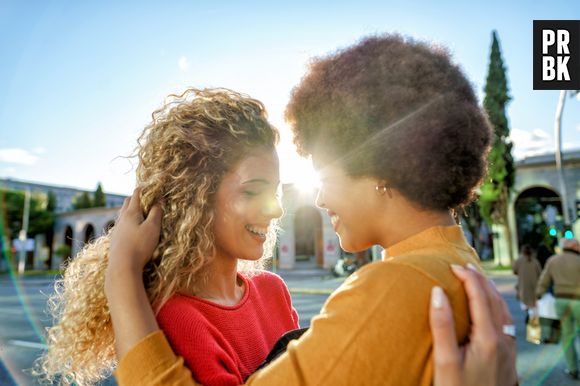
(149, 356)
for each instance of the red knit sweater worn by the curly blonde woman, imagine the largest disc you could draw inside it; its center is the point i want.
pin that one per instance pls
(223, 345)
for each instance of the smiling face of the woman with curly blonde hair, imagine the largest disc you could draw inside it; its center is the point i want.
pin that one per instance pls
(245, 203)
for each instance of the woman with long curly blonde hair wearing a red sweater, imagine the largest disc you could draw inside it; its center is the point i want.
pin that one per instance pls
(208, 172)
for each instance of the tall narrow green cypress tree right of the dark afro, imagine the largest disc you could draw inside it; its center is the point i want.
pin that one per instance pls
(496, 190)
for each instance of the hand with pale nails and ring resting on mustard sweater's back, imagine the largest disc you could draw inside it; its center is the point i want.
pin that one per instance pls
(489, 357)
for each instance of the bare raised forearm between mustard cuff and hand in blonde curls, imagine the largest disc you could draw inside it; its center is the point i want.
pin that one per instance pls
(131, 313)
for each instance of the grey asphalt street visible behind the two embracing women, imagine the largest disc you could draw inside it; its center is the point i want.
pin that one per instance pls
(22, 321)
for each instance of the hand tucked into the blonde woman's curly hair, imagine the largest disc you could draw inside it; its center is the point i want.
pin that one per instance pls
(134, 238)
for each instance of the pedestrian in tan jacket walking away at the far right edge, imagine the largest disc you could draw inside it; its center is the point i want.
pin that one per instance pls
(562, 271)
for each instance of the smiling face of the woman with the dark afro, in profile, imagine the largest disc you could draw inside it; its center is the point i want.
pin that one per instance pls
(352, 204)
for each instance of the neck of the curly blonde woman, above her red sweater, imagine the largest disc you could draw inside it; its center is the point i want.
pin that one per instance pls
(222, 286)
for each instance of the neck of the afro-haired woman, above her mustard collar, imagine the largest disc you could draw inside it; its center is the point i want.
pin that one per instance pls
(404, 219)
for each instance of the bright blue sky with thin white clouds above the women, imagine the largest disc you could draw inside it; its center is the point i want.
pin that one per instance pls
(79, 79)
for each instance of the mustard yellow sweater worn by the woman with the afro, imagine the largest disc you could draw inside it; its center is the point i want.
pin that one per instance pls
(373, 330)
